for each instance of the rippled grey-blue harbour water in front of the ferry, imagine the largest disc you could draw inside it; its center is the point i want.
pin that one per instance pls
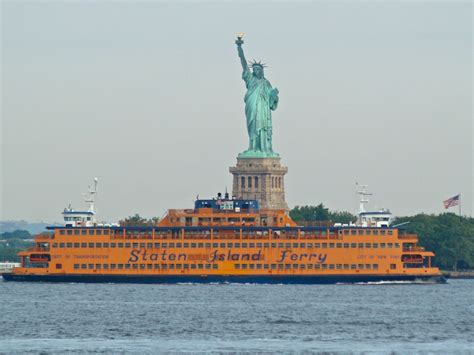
(121, 318)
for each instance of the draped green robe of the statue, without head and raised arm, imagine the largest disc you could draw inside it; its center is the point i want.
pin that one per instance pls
(260, 99)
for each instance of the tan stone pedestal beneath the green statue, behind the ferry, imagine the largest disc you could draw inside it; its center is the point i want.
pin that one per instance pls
(260, 179)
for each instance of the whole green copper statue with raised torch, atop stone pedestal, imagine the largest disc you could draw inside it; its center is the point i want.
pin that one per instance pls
(260, 100)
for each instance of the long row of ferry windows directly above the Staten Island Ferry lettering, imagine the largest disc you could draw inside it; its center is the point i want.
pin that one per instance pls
(229, 245)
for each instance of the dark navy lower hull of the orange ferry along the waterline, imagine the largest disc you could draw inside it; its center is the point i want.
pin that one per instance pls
(242, 279)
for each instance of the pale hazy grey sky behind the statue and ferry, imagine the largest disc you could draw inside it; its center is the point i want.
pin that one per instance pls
(149, 98)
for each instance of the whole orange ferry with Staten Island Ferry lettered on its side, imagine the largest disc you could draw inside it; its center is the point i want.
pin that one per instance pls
(225, 240)
